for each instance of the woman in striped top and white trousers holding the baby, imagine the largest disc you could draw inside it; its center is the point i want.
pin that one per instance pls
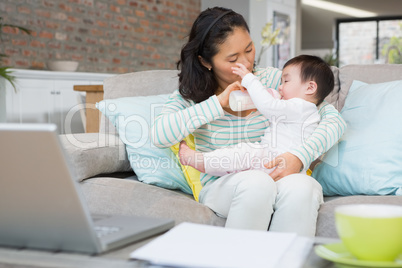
(285, 200)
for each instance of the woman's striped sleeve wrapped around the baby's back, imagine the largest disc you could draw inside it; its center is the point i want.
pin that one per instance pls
(329, 131)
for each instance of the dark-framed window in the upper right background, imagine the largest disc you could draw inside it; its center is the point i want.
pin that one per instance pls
(369, 40)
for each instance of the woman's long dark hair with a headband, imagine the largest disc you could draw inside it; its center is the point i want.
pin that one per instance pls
(210, 29)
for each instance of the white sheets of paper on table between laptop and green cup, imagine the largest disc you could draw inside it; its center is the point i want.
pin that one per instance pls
(195, 245)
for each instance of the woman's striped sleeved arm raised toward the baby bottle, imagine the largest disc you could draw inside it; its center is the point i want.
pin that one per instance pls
(179, 118)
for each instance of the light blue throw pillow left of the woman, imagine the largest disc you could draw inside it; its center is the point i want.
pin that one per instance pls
(133, 118)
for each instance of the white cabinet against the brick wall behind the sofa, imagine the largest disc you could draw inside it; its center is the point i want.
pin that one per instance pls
(48, 97)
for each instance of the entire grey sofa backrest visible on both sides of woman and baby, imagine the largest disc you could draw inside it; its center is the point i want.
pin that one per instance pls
(156, 82)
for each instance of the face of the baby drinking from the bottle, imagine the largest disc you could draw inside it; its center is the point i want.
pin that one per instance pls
(291, 84)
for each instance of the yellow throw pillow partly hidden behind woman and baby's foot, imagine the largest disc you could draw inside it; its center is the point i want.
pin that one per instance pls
(191, 174)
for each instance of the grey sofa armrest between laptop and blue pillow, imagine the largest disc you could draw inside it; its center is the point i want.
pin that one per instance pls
(91, 154)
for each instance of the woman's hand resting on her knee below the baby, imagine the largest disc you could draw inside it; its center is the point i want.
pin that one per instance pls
(284, 164)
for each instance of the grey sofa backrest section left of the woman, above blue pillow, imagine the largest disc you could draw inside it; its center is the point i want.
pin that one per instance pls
(145, 83)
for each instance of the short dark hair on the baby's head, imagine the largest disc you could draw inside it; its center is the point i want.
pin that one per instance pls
(315, 69)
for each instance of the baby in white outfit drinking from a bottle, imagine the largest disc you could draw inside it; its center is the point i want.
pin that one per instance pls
(306, 81)
